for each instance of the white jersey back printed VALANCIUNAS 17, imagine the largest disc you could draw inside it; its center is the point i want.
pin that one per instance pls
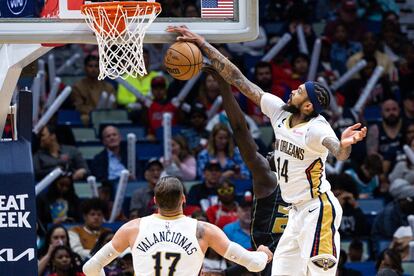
(167, 246)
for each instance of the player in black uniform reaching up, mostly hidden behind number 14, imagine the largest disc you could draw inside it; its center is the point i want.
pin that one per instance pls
(269, 214)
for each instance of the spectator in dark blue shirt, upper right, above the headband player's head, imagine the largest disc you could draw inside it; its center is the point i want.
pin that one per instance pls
(342, 48)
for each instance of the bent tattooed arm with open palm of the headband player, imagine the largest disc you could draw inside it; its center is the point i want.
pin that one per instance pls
(342, 149)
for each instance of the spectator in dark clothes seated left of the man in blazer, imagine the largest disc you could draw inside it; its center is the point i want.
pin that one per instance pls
(51, 155)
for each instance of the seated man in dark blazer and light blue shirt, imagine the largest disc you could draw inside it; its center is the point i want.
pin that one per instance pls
(109, 163)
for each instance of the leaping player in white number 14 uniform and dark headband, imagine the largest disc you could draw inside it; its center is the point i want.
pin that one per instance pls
(310, 242)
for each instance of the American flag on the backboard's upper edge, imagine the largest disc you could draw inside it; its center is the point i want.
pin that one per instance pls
(217, 8)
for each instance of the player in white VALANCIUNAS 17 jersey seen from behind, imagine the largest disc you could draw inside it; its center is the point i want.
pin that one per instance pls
(170, 243)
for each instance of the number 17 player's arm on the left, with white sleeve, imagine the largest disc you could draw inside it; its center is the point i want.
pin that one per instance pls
(111, 250)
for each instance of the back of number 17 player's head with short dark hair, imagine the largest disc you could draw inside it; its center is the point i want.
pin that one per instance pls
(168, 192)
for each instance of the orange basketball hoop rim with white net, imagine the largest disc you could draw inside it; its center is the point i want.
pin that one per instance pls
(120, 29)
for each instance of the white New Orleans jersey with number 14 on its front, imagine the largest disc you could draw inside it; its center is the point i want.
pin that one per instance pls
(299, 154)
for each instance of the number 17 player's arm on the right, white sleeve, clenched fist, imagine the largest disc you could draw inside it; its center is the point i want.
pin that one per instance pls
(254, 261)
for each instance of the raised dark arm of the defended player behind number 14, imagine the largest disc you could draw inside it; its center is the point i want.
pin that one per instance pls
(264, 179)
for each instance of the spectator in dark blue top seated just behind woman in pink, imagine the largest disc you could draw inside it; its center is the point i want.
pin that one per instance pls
(195, 134)
